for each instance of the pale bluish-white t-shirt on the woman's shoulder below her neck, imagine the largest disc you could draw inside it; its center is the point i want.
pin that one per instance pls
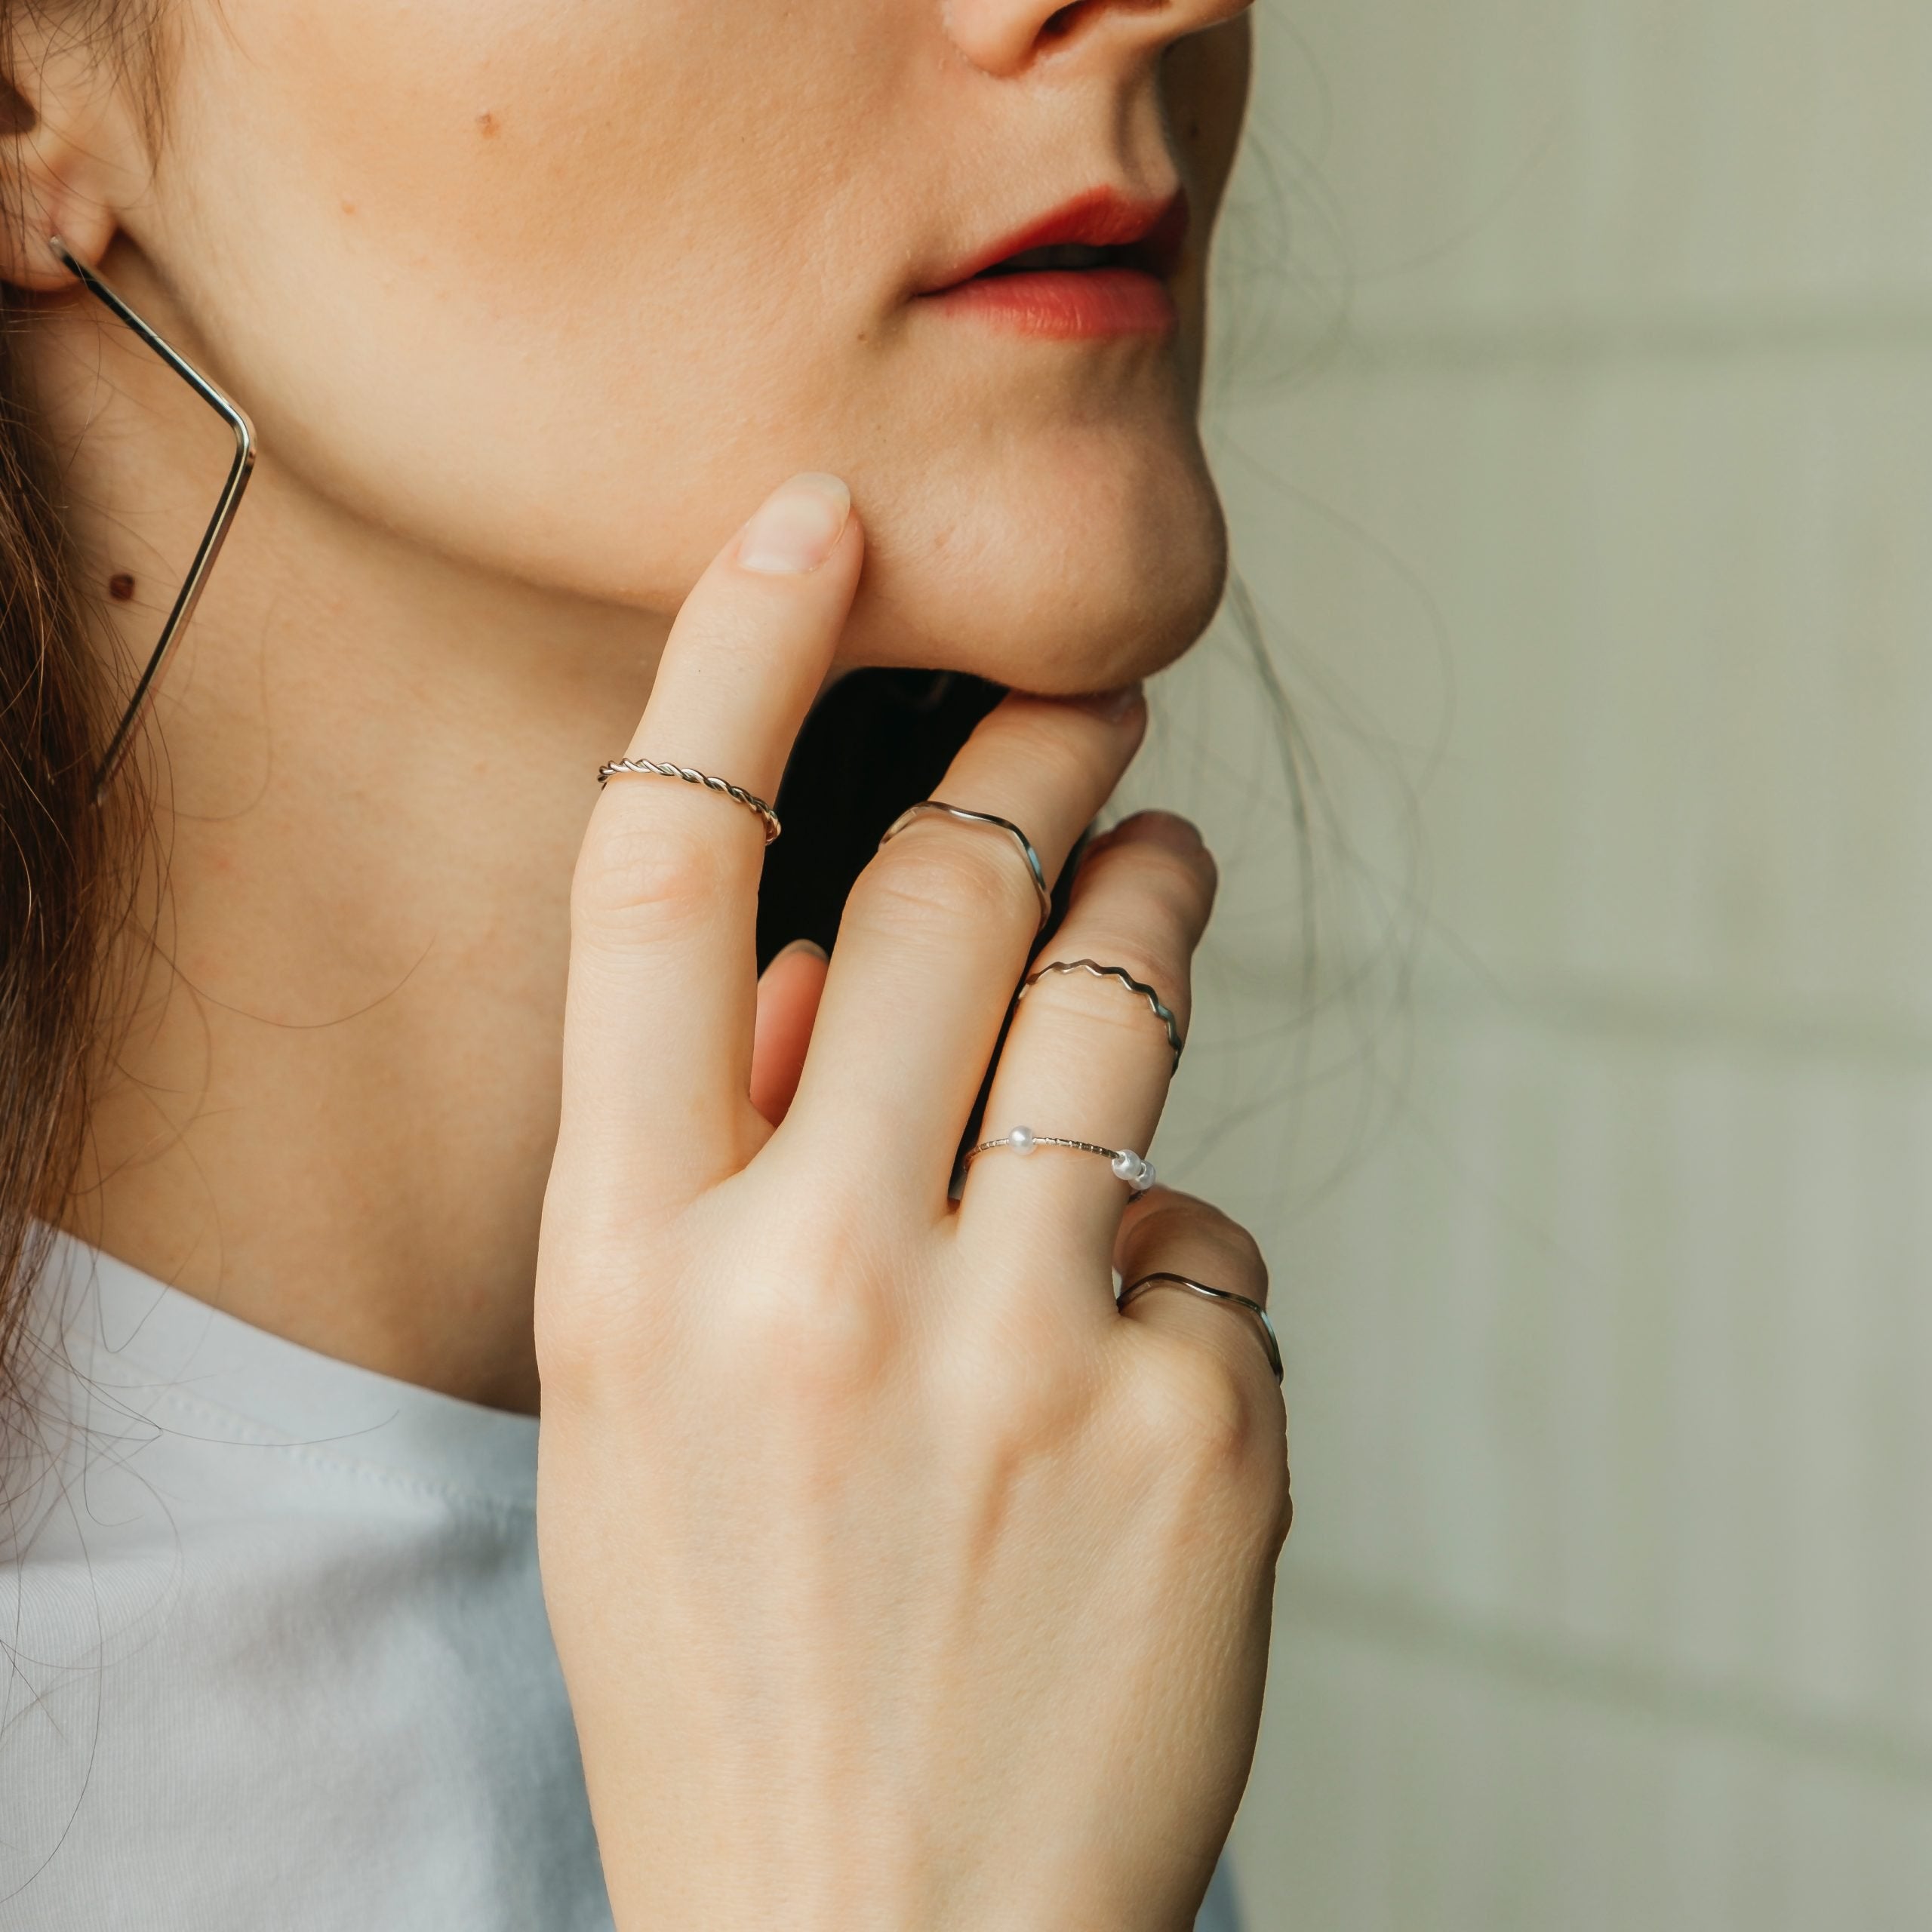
(273, 1645)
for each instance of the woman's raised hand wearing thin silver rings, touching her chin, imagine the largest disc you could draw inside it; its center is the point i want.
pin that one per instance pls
(897, 1577)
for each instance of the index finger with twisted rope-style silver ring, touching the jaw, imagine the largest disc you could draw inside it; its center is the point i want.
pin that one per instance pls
(664, 975)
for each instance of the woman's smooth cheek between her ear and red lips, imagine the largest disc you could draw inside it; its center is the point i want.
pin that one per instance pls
(484, 266)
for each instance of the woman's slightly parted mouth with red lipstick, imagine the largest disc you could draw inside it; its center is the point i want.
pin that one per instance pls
(1096, 268)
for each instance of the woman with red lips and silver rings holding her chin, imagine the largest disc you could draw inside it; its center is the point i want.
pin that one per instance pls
(895, 1576)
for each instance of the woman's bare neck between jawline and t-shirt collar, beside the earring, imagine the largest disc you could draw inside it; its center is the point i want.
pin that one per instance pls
(331, 1089)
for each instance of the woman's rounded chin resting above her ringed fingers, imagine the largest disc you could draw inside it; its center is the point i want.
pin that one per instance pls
(1054, 582)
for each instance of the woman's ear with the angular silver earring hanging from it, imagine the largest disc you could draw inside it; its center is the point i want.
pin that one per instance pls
(71, 150)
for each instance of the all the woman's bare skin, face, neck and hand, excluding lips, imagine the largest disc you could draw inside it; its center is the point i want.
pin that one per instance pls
(899, 1579)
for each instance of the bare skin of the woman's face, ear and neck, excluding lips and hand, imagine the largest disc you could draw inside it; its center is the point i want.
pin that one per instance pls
(532, 306)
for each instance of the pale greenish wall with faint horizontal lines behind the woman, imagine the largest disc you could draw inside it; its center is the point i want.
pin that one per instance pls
(1603, 540)
